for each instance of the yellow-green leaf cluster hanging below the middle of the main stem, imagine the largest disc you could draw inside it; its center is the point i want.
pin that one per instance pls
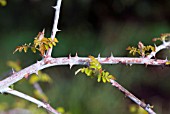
(94, 69)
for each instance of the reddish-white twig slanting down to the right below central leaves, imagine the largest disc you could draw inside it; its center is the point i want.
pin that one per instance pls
(146, 107)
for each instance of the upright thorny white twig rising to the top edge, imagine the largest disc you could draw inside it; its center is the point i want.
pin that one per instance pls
(55, 24)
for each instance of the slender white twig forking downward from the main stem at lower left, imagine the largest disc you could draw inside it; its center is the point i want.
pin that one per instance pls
(31, 99)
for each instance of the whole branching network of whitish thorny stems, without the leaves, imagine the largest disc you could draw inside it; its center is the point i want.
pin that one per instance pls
(48, 61)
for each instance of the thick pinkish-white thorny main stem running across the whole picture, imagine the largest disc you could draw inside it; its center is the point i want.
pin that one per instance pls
(48, 62)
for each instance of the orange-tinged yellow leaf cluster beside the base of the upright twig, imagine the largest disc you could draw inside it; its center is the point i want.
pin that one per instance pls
(40, 44)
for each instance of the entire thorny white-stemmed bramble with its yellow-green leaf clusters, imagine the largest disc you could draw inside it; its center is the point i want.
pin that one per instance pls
(93, 65)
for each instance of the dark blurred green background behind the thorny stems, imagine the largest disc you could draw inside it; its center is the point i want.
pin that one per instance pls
(89, 27)
